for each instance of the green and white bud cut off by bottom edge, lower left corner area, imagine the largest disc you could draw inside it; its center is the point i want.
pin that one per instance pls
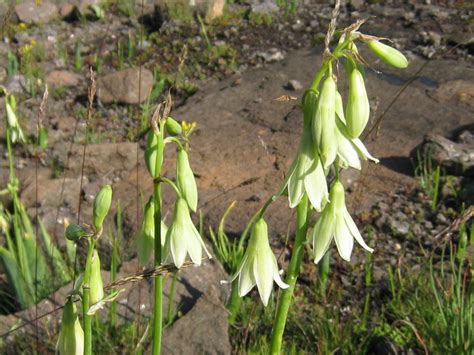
(71, 335)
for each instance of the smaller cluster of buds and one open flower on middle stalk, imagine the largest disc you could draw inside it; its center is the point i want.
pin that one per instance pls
(182, 237)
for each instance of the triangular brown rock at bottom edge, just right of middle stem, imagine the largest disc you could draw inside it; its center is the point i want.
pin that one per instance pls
(205, 328)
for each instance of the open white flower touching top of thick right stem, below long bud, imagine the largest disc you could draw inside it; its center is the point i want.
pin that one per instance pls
(307, 175)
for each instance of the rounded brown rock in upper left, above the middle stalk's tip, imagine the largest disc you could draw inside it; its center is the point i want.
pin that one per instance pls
(123, 86)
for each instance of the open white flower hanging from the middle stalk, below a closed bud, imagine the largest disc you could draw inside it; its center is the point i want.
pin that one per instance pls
(183, 238)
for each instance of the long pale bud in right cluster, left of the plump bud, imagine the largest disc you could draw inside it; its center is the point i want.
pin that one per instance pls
(325, 123)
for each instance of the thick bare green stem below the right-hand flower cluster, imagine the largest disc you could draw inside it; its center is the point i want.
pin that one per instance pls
(293, 271)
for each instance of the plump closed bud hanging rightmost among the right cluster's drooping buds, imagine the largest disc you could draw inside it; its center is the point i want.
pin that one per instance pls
(358, 107)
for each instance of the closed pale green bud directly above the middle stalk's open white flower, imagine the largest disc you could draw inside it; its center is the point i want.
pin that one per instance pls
(185, 180)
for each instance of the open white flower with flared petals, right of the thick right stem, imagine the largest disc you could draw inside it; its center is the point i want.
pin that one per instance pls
(336, 223)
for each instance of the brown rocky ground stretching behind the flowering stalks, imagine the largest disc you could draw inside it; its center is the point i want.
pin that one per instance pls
(235, 66)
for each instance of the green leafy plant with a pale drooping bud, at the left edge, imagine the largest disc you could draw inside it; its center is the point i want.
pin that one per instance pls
(28, 265)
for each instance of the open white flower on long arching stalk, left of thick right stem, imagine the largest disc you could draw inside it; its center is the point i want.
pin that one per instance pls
(259, 266)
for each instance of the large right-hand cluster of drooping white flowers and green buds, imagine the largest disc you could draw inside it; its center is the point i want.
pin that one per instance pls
(330, 142)
